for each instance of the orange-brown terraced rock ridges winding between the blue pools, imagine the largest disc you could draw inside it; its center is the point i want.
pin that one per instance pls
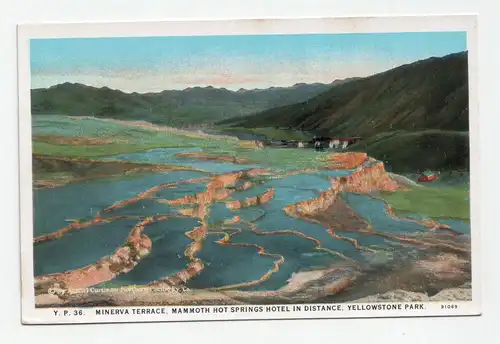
(327, 209)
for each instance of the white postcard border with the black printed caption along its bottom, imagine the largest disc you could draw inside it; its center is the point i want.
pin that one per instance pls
(463, 22)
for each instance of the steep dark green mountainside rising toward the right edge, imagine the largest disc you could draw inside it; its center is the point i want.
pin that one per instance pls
(427, 94)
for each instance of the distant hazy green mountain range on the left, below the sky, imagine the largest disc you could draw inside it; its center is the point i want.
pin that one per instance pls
(191, 106)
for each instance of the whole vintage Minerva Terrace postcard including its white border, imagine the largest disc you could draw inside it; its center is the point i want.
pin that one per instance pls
(249, 169)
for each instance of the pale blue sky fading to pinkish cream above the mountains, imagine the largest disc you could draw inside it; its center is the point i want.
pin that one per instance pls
(149, 64)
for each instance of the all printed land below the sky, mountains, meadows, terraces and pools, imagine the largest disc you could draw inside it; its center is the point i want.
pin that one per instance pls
(355, 190)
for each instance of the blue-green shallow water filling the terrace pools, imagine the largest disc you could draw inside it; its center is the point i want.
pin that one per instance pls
(224, 264)
